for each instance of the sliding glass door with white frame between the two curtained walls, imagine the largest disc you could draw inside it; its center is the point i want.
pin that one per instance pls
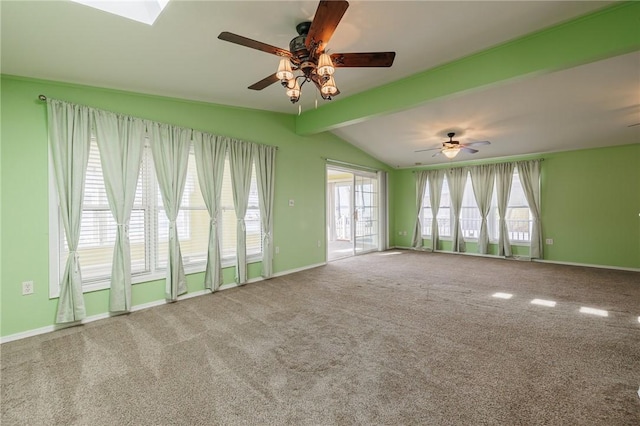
(353, 212)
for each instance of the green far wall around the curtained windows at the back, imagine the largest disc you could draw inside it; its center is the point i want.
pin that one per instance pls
(590, 201)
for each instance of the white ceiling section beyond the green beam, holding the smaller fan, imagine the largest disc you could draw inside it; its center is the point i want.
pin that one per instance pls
(584, 107)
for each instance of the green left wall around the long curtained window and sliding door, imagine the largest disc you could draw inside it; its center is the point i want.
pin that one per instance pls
(300, 175)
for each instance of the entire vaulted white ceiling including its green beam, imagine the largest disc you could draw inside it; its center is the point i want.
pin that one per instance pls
(468, 67)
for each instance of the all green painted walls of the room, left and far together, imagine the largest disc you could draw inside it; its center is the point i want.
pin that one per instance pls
(590, 199)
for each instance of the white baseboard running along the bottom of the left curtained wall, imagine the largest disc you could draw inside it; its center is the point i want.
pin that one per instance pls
(55, 327)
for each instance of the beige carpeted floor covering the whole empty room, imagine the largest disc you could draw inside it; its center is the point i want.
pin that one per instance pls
(385, 338)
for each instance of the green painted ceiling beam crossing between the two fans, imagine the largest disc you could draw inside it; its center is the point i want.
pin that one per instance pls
(606, 33)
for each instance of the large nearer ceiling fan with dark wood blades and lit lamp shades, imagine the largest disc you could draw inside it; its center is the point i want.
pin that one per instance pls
(307, 54)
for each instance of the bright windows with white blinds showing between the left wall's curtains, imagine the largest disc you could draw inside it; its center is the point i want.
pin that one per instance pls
(149, 226)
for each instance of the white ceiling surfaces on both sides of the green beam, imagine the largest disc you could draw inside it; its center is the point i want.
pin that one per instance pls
(180, 56)
